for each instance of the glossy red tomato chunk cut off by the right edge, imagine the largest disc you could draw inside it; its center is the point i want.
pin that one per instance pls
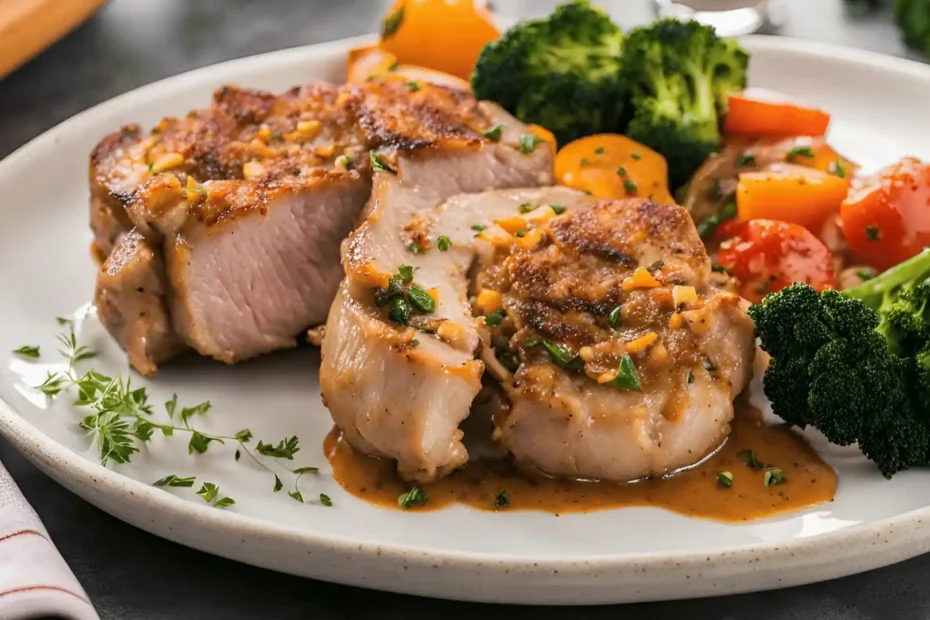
(886, 217)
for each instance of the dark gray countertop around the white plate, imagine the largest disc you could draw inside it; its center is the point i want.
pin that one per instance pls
(130, 574)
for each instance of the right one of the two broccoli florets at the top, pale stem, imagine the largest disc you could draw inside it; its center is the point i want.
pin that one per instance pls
(679, 74)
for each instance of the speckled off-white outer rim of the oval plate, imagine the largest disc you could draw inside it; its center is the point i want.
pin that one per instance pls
(478, 577)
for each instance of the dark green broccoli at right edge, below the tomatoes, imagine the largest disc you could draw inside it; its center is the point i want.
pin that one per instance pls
(855, 365)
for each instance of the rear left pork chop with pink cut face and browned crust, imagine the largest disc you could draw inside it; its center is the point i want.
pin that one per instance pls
(237, 212)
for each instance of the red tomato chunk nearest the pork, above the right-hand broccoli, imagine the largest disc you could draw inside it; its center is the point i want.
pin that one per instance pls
(767, 255)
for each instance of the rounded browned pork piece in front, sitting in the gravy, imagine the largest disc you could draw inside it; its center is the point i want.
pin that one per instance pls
(626, 360)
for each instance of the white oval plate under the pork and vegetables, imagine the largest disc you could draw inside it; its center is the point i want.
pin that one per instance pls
(520, 557)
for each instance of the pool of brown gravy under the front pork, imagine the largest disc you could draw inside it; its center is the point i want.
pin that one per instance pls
(695, 492)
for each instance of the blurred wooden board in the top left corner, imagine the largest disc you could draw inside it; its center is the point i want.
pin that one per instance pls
(29, 26)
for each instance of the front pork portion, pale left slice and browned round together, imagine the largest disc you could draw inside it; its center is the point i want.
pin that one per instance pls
(567, 294)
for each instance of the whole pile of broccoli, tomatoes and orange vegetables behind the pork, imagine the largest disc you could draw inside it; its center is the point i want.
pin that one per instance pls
(832, 259)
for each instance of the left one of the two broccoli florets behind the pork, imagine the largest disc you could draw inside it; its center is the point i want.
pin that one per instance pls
(561, 72)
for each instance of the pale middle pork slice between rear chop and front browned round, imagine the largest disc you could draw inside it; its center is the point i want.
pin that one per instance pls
(396, 390)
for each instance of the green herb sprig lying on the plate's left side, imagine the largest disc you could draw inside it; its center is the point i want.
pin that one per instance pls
(121, 419)
